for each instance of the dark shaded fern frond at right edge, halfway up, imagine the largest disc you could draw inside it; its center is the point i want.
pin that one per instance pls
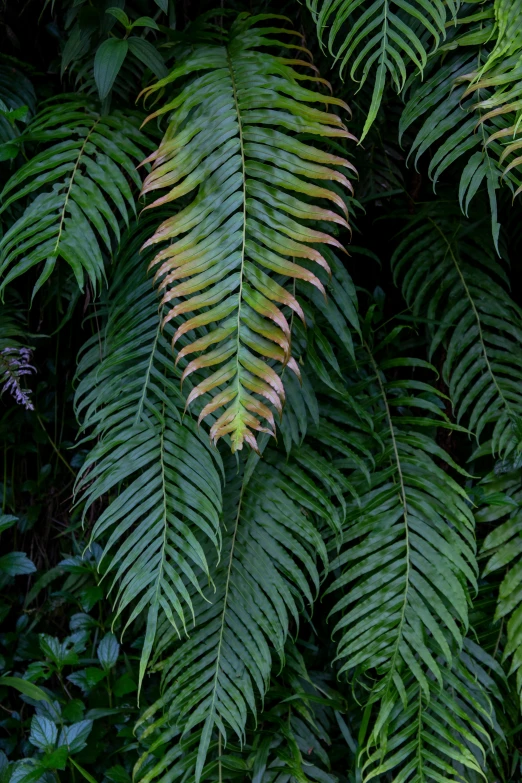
(450, 276)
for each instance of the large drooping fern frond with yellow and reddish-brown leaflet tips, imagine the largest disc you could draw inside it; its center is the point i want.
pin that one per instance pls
(257, 191)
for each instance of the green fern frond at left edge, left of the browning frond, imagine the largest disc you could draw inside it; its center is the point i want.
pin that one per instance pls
(79, 189)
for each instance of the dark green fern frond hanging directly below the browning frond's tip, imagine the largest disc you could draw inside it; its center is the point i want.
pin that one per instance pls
(267, 572)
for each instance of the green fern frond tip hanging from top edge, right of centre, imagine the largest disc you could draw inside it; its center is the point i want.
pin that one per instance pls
(381, 39)
